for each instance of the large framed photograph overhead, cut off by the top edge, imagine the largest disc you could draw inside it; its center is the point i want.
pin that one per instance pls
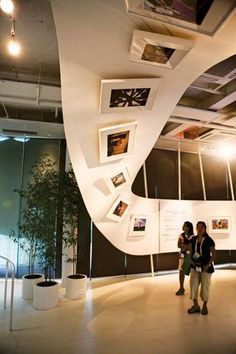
(205, 16)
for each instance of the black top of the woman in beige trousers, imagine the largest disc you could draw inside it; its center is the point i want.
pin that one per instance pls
(204, 249)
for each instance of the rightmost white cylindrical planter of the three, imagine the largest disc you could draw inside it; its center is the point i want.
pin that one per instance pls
(76, 286)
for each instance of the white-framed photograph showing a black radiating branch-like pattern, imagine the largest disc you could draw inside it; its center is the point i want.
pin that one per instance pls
(128, 95)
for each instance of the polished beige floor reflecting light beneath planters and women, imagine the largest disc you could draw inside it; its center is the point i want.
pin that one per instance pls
(138, 315)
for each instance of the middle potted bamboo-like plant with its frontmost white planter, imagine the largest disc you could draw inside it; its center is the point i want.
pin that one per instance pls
(45, 189)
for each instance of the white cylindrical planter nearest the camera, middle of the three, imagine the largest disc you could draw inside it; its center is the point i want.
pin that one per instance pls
(46, 295)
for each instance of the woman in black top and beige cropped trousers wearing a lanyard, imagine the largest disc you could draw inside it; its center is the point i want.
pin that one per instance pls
(203, 256)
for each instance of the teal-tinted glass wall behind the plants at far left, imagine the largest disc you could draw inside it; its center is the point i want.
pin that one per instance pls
(16, 160)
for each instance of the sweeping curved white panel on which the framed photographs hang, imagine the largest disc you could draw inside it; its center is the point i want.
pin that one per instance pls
(94, 39)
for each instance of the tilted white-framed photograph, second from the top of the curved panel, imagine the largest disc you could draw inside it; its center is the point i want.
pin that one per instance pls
(158, 49)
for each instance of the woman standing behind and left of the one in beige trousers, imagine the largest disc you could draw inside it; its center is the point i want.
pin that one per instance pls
(184, 245)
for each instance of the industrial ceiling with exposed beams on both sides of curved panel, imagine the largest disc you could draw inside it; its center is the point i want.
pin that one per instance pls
(205, 114)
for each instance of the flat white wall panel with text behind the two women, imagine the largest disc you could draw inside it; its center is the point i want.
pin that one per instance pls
(173, 213)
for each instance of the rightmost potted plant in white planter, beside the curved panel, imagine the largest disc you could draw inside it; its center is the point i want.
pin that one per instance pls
(75, 284)
